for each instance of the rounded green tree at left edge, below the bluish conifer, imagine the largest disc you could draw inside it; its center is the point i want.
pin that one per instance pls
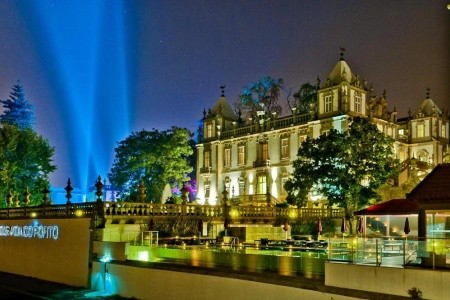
(25, 163)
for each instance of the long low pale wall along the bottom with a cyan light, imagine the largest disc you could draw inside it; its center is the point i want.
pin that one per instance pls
(147, 283)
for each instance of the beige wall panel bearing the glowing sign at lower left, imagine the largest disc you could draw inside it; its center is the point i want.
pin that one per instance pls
(50, 249)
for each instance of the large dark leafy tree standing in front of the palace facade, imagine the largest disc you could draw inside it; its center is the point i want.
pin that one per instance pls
(346, 167)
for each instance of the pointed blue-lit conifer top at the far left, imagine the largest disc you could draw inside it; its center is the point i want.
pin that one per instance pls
(18, 111)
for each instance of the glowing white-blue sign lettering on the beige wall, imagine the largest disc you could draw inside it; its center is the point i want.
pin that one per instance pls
(35, 230)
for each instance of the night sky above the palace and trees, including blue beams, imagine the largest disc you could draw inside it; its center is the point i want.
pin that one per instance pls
(98, 70)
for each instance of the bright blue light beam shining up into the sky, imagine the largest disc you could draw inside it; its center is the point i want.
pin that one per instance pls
(83, 49)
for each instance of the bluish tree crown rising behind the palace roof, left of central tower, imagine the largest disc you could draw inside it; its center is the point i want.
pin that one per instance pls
(261, 96)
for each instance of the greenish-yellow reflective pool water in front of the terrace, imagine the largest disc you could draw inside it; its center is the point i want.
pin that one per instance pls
(288, 263)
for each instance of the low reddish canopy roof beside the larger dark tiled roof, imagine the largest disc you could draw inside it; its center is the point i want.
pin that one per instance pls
(391, 207)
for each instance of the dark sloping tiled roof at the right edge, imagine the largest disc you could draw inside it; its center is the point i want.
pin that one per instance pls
(435, 185)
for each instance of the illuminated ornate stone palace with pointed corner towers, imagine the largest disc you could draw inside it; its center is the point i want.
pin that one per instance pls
(252, 159)
